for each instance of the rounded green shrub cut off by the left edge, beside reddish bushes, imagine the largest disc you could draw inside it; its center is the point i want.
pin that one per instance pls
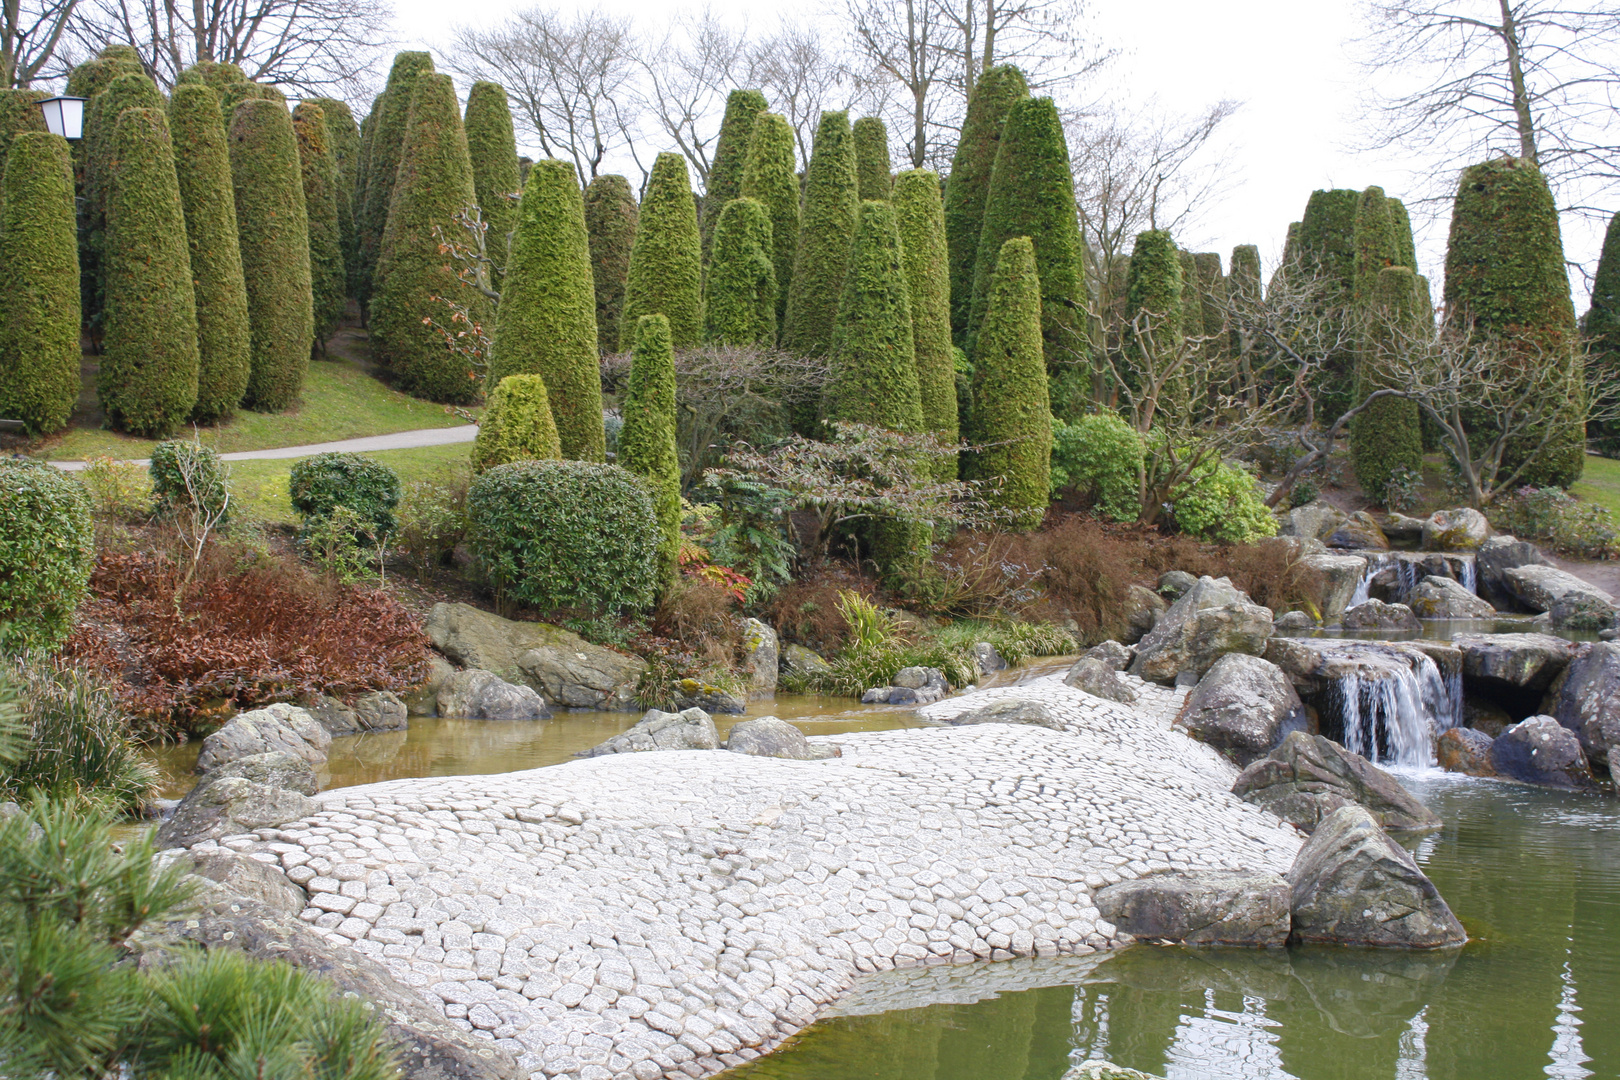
(48, 551)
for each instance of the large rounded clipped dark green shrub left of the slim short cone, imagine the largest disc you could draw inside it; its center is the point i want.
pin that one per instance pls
(566, 535)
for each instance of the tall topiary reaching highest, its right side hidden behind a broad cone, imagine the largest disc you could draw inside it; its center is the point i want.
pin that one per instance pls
(970, 182)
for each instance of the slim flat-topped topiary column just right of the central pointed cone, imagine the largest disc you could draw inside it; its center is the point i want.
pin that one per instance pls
(921, 215)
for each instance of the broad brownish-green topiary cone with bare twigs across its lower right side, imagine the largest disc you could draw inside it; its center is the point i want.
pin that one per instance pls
(435, 184)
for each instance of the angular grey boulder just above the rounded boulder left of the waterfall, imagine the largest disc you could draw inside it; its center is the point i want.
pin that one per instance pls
(1211, 621)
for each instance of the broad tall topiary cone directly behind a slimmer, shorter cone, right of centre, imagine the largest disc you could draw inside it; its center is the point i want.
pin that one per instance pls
(1033, 195)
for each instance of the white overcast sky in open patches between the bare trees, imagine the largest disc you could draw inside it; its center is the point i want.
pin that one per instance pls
(1289, 61)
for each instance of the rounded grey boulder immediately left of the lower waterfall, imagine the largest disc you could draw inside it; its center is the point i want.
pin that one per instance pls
(1243, 707)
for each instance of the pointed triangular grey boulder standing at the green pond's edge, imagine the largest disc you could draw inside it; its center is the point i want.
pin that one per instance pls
(1352, 885)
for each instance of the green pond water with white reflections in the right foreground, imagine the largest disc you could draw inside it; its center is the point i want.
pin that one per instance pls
(1537, 993)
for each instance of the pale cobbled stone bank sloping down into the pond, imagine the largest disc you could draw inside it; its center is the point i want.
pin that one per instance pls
(678, 914)
